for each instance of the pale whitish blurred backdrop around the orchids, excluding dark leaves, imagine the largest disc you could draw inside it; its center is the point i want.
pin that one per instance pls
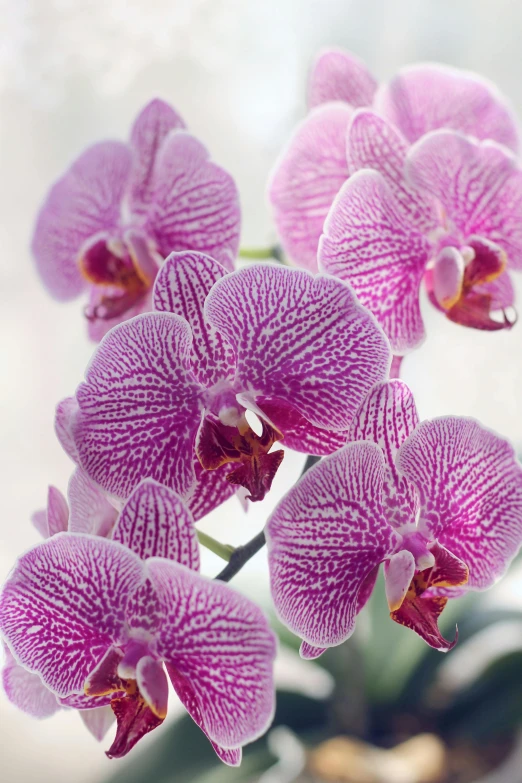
(74, 71)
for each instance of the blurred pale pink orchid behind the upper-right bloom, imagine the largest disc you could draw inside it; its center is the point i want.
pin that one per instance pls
(420, 98)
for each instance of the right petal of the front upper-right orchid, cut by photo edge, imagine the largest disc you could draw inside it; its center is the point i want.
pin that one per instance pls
(478, 184)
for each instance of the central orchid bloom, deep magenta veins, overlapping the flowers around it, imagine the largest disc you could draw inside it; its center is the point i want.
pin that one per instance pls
(169, 385)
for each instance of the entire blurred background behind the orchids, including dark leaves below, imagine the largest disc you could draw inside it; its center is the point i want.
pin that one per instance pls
(382, 707)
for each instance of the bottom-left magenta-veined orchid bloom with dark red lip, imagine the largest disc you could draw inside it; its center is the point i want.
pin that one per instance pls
(93, 622)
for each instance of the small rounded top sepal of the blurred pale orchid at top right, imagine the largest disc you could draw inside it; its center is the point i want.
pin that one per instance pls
(337, 75)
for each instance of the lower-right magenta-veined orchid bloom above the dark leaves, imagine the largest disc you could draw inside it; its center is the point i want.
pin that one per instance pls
(439, 503)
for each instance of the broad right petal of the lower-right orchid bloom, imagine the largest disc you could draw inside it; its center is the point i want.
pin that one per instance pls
(470, 490)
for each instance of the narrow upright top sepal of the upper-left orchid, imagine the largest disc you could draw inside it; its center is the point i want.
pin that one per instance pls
(150, 128)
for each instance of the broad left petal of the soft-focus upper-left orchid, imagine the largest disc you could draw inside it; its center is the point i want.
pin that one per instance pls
(84, 202)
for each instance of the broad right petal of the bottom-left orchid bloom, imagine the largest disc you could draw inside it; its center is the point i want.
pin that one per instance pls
(221, 643)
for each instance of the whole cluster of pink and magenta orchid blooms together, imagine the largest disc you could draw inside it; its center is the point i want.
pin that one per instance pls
(381, 188)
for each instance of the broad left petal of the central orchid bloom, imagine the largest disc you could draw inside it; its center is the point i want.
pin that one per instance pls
(139, 407)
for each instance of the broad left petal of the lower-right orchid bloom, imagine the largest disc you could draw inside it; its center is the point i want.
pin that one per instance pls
(325, 541)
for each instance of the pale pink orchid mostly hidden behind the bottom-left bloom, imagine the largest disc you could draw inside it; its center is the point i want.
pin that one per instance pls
(89, 512)
